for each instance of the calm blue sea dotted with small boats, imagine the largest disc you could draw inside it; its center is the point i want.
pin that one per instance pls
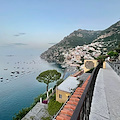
(18, 84)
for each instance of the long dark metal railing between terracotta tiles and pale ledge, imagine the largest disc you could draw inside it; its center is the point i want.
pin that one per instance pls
(82, 110)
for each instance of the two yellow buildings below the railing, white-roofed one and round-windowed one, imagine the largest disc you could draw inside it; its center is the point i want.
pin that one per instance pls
(65, 89)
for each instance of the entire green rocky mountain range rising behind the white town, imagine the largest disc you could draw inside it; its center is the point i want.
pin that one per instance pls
(109, 38)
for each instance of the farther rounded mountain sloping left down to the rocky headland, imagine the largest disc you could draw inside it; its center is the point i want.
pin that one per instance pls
(78, 37)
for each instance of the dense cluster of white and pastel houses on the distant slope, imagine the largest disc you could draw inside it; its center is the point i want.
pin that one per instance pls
(76, 56)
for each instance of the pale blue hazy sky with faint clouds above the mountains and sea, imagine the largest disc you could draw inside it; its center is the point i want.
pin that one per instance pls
(35, 23)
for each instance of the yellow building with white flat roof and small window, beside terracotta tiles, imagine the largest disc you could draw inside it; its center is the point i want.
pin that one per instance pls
(67, 87)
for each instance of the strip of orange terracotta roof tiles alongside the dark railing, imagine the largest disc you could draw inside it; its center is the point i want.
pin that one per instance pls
(67, 111)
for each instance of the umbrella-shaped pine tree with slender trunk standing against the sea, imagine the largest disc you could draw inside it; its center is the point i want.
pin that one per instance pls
(48, 77)
